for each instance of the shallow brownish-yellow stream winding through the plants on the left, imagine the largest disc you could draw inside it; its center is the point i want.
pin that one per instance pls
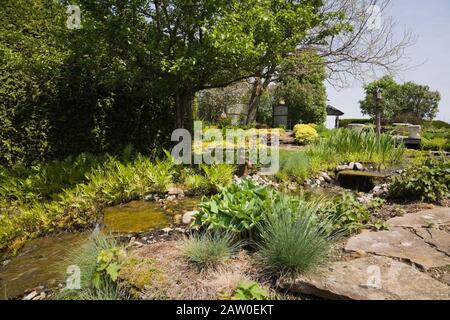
(42, 261)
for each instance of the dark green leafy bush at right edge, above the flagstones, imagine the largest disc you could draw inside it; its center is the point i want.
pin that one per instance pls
(427, 180)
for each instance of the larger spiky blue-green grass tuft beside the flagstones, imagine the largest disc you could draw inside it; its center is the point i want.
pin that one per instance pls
(293, 238)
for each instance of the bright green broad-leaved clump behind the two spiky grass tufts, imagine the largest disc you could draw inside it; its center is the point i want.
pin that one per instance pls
(238, 208)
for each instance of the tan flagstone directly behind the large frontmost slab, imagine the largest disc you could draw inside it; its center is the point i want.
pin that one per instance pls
(399, 243)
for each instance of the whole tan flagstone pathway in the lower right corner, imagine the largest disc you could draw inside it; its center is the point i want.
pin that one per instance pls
(391, 265)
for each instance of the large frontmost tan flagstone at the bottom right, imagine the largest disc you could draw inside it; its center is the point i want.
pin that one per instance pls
(370, 278)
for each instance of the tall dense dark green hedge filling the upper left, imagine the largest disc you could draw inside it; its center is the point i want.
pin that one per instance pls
(64, 92)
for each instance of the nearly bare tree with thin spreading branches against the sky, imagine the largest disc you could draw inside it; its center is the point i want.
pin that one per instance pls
(356, 40)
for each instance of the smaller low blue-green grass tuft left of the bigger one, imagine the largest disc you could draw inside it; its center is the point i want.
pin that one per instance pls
(209, 249)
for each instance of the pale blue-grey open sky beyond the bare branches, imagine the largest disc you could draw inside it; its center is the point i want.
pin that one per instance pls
(429, 56)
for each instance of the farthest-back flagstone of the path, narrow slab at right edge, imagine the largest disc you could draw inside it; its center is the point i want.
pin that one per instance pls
(436, 216)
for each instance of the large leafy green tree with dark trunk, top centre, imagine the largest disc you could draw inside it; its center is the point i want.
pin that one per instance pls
(200, 44)
